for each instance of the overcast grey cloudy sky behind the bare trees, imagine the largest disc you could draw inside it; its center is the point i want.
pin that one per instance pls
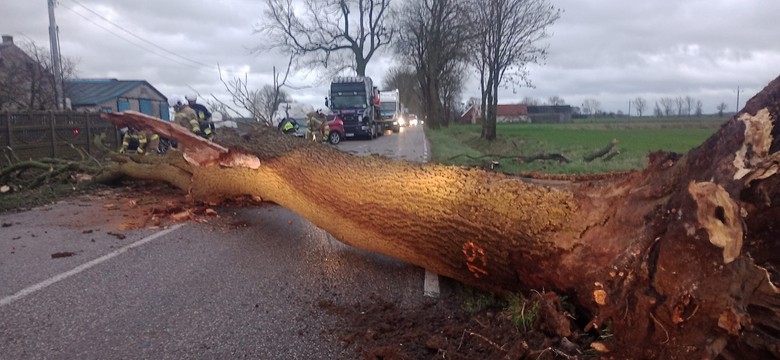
(608, 50)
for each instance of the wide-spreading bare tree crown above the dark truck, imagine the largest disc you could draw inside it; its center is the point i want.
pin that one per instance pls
(335, 34)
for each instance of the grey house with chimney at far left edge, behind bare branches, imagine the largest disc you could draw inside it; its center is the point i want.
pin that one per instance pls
(25, 82)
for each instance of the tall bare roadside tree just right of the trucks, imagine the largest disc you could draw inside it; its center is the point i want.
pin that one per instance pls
(431, 36)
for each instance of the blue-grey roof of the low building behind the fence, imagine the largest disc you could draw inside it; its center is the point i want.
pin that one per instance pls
(97, 91)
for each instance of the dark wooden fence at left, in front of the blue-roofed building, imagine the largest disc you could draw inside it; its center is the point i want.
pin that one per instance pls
(35, 135)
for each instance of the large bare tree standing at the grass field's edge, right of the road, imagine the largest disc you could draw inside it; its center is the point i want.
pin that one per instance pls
(509, 38)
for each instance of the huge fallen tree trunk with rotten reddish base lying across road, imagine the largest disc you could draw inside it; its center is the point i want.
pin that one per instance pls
(676, 259)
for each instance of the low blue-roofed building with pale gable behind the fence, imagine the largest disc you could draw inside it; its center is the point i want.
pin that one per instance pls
(112, 95)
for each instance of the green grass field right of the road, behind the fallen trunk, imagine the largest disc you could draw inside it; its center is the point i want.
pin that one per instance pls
(461, 145)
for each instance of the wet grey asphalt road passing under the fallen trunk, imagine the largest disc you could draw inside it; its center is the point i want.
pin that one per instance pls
(247, 285)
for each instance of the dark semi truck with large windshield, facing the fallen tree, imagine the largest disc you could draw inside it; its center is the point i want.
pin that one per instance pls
(355, 100)
